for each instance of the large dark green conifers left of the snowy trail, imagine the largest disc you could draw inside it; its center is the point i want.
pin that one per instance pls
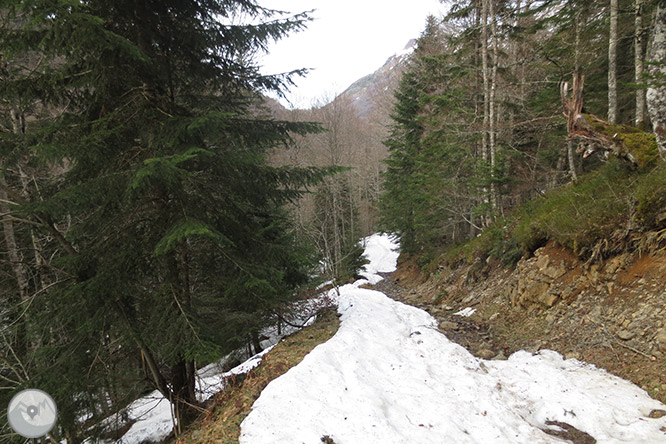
(164, 226)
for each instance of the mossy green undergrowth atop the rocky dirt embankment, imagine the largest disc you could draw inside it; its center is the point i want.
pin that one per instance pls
(614, 199)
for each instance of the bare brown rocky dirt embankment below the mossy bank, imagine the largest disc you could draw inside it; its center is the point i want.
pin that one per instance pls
(611, 314)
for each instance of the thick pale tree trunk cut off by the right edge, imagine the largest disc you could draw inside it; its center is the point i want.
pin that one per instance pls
(656, 93)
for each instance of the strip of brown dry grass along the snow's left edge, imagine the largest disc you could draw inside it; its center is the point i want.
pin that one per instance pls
(221, 424)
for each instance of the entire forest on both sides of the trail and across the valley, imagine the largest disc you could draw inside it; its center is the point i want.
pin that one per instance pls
(158, 211)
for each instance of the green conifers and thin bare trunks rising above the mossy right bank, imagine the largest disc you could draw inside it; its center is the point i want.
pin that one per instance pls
(477, 123)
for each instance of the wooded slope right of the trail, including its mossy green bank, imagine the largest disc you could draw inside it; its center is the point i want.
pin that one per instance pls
(505, 101)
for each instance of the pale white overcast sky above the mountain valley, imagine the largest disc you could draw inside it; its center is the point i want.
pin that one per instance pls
(347, 40)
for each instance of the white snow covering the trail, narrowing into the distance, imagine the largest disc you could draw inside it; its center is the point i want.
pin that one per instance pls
(388, 376)
